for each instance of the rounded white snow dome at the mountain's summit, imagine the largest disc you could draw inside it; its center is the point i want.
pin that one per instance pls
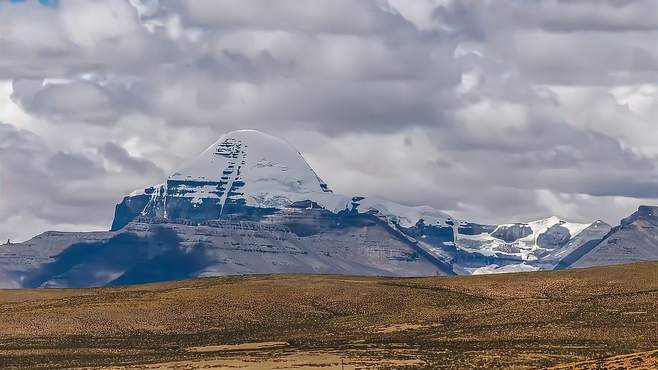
(264, 170)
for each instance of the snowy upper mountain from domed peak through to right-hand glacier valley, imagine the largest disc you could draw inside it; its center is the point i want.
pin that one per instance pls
(253, 174)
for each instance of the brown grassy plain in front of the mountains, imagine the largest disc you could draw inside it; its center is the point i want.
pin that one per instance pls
(523, 320)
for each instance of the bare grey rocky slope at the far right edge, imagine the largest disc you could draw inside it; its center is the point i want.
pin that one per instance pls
(634, 240)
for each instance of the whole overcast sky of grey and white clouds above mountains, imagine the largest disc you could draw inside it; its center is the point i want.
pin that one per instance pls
(494, 111)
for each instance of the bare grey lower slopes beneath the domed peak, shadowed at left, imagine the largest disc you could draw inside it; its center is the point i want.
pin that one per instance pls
(291, 240)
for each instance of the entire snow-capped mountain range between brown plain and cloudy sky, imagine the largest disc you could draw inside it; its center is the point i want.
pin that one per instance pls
(250, 203)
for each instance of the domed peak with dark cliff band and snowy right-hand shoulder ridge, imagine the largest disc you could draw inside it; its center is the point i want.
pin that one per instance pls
(248, 168)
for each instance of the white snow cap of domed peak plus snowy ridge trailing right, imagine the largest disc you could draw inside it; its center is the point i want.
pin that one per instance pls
(266, 171)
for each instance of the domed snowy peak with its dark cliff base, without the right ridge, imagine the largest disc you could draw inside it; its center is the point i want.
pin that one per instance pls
(244, 172)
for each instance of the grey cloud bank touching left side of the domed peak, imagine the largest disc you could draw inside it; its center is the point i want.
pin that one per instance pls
(41, 185)
